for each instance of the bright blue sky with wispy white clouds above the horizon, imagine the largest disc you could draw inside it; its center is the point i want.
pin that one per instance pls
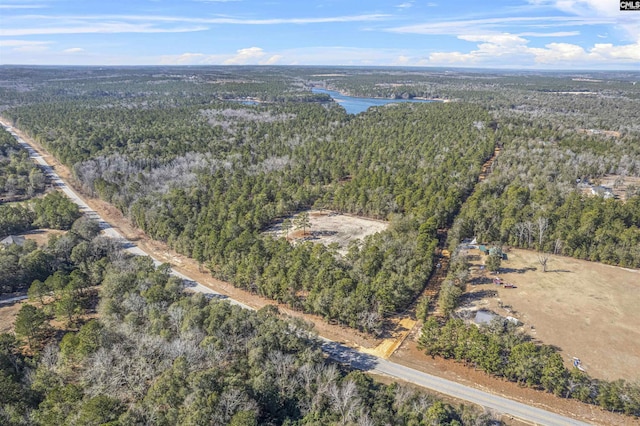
(546, 34)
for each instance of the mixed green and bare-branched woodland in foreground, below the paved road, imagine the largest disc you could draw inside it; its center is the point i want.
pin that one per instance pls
(157, 355)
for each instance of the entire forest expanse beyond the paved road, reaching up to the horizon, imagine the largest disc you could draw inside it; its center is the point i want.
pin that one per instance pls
(207, 158)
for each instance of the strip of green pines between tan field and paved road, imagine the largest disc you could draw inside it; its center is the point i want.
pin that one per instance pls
(499, 350)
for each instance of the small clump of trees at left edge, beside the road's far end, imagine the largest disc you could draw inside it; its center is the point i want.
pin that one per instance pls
(20, 178)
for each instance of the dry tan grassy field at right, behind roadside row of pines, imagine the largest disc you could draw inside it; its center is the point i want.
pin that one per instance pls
(588, 310)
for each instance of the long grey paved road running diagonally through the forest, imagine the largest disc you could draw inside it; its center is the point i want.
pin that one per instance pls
(335, 350)
